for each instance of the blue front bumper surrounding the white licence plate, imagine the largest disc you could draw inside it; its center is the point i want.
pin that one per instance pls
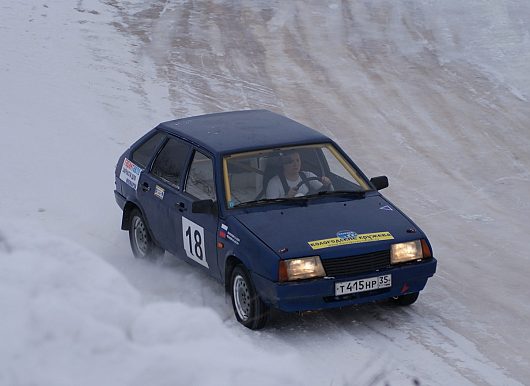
(319, 294)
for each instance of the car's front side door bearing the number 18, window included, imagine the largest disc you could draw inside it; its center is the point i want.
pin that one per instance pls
(199, 230)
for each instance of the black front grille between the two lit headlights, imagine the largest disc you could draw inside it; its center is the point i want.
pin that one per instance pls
(357, 264)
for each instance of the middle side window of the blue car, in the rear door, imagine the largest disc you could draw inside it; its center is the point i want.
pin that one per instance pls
(171, 161)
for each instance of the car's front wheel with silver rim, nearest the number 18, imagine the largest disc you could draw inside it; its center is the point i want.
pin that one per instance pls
(249, 309)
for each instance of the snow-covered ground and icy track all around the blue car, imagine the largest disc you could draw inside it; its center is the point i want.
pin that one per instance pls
(433, 94)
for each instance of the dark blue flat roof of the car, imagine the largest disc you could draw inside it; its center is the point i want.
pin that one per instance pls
(237, 131)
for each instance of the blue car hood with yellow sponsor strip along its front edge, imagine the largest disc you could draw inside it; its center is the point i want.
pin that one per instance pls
(331, 229)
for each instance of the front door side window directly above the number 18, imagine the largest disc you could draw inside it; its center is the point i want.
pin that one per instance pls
(200, 182)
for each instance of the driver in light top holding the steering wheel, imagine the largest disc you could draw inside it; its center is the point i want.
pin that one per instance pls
(292, 182)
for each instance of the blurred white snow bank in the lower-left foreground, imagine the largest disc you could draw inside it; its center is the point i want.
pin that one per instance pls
(68, 317)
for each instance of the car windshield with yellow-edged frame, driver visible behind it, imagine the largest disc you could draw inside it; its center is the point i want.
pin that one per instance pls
(289, 174)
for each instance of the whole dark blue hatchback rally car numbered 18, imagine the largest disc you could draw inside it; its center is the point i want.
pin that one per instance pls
(274, 210)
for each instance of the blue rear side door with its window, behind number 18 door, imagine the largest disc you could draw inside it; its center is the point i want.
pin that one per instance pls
(160, 190)
